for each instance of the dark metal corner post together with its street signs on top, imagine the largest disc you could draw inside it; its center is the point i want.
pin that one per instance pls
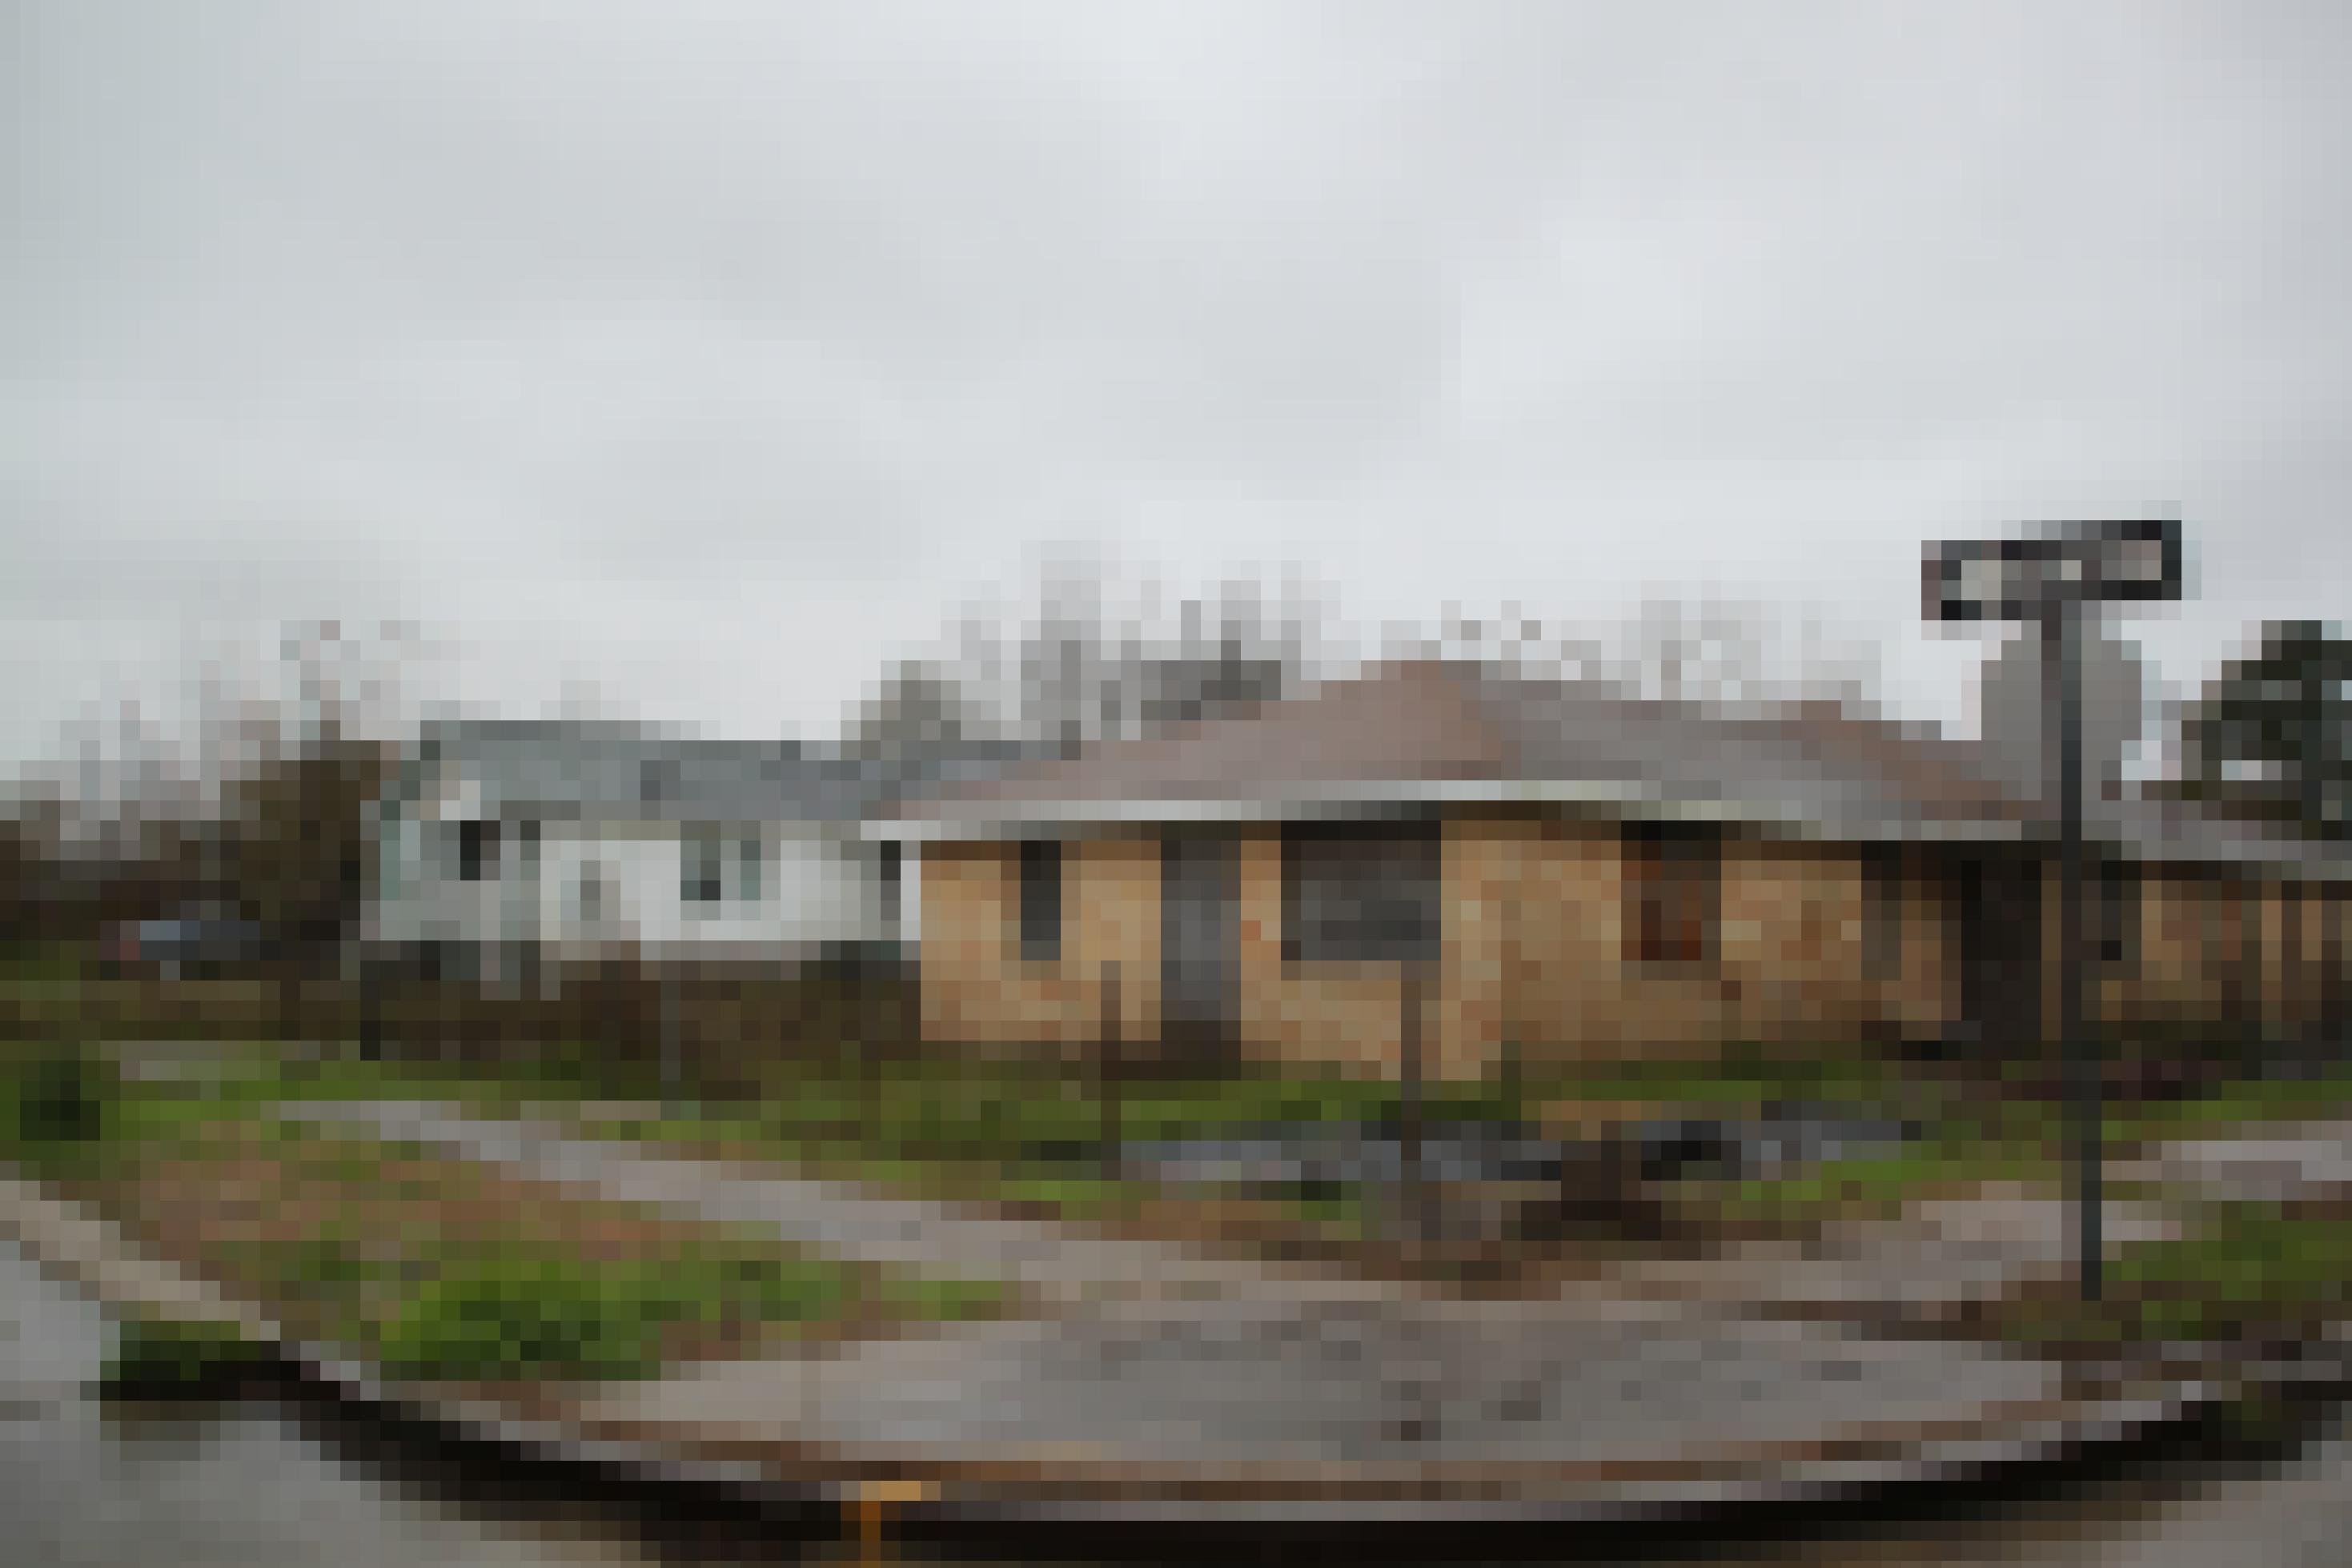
(2050, 582)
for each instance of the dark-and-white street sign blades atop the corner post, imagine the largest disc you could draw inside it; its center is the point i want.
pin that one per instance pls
(2019, 579)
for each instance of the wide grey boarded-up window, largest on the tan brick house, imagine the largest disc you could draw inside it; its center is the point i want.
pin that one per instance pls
(1363, 892)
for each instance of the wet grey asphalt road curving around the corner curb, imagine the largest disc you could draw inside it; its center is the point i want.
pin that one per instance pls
(276, 1485)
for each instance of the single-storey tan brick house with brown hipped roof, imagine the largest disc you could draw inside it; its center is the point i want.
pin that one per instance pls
(1572, 873)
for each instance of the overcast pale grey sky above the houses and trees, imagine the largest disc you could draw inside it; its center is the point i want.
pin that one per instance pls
(711, 354)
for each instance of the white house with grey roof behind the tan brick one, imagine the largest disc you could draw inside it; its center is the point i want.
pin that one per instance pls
(512, 840)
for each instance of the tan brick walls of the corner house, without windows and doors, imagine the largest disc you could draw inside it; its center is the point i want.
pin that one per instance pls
(1535, 953)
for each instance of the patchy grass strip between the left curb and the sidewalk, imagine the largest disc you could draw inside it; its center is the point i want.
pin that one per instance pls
(427, 1266)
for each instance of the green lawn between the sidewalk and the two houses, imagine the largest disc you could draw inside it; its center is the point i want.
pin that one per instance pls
(1034, 1132)
